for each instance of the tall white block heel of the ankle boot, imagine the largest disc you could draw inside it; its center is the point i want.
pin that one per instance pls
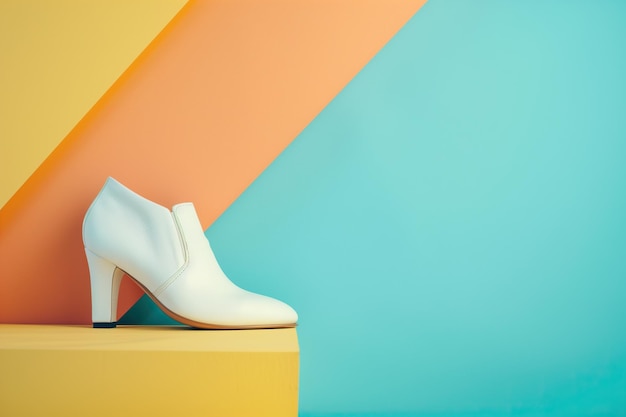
(105, 285)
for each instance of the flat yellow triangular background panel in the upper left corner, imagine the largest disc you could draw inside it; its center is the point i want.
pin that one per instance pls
(57, 58)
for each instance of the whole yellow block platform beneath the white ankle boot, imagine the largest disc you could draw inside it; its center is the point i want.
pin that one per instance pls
(147, 371)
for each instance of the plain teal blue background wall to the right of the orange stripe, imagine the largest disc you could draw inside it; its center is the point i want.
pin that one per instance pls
(452, 227)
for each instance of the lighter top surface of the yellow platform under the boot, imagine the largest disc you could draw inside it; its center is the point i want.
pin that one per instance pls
(145, 338)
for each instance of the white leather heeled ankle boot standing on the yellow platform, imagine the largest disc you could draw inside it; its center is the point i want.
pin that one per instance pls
(167, 254)
